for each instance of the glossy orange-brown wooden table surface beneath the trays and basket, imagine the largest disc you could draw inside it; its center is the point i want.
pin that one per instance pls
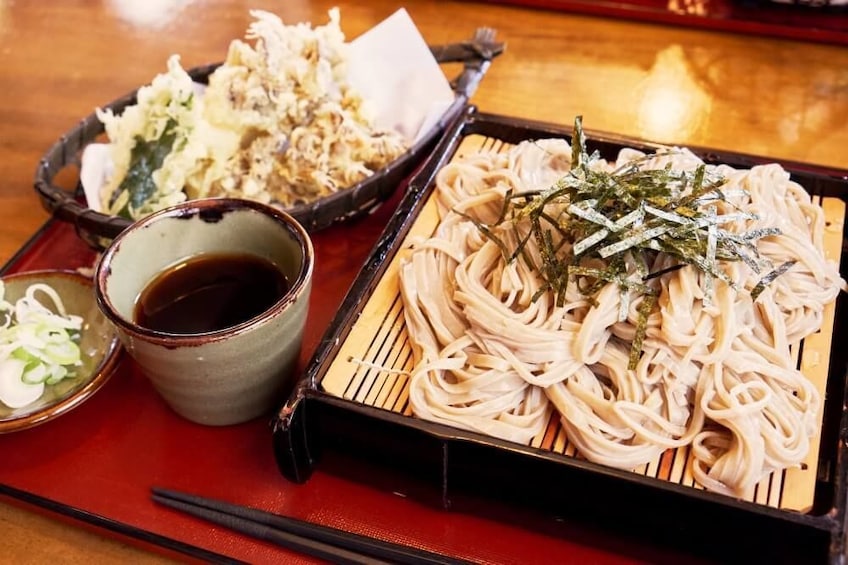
(779, 98)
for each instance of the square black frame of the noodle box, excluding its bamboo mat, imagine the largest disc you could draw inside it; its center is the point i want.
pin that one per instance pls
(470, 472)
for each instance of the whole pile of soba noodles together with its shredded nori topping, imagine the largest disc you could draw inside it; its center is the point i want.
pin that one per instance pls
(651, 302)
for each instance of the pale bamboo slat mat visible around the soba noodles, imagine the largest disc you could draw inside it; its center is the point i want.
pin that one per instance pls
(373, 363)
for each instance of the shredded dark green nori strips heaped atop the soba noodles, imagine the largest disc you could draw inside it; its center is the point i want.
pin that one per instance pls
(624, 218)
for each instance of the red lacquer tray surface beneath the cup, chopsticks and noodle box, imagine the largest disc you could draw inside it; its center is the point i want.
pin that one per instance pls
(98, 463)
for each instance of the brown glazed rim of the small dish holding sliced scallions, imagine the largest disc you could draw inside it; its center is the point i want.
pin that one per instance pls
(97, 378)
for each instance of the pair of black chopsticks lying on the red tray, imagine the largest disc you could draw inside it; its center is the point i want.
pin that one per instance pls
(331, 544)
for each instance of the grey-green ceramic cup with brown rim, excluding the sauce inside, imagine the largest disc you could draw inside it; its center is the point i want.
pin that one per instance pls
(227, 375)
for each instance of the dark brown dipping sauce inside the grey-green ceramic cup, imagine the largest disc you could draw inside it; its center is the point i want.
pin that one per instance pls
(210, 292)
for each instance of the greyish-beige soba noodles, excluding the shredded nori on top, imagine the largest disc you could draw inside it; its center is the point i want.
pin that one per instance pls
(496, 355)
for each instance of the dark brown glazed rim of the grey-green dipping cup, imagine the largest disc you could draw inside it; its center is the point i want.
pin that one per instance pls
(201, 207)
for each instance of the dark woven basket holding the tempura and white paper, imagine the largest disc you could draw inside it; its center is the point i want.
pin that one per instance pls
(68, 203)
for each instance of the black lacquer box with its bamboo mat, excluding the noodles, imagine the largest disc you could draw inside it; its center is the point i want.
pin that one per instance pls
(354, 419)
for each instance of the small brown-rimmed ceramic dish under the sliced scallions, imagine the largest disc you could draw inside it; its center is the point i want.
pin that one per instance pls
(99, 346)
